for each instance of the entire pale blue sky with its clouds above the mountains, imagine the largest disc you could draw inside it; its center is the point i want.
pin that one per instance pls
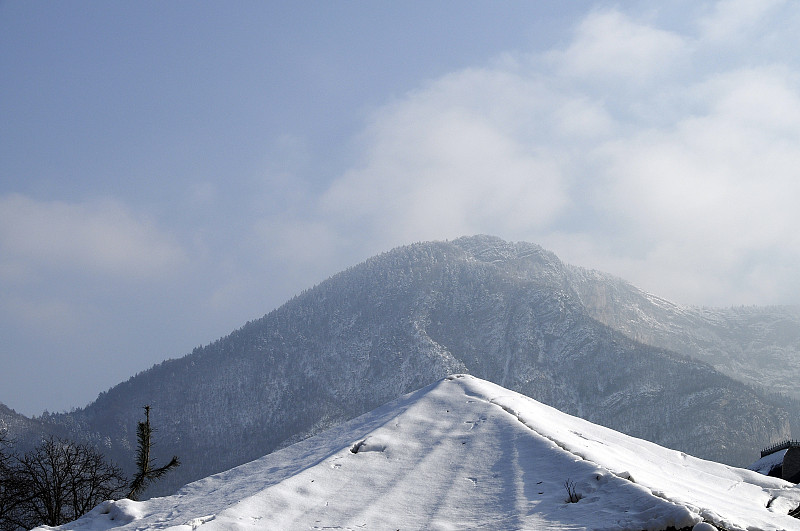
(169, 171)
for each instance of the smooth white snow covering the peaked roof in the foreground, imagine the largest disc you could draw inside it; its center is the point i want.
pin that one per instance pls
(466, 454)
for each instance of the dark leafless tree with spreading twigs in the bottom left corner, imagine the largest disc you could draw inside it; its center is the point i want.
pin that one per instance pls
(60, 481)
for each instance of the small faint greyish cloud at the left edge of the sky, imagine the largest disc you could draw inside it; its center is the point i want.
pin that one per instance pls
(101, 237)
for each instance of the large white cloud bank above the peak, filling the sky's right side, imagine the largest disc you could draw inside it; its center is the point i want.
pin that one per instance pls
(625, 149)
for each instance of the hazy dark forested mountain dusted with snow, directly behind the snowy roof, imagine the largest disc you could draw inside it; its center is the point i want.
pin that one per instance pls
(511, 313)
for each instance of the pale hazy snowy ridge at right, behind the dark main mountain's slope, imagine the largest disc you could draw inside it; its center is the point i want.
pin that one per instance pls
(757, 345)
